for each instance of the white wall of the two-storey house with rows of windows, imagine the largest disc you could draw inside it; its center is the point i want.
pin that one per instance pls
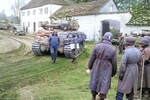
(28, 20)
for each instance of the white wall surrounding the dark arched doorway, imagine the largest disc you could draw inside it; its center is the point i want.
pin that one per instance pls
(92, 25)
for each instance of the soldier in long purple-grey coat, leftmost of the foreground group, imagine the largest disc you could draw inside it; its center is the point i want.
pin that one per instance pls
(103, 66)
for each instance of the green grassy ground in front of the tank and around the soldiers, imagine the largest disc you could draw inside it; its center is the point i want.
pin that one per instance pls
(46, 81)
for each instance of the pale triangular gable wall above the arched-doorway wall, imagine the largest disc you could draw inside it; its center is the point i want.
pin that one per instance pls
(109, 7)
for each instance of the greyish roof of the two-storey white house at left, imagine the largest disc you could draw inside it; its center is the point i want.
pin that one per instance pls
(38, 3)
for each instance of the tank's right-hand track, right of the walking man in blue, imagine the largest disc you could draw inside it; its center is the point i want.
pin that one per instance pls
(72, 53)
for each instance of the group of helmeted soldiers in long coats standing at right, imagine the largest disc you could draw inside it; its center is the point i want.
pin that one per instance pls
(134, 62)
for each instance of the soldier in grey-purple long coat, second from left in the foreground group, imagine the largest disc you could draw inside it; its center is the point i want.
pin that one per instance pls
(128, 74)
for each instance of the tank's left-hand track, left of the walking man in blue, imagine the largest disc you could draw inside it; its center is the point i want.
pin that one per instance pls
(36, 48)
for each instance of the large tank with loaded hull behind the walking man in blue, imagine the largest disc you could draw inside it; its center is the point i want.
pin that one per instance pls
(71, 40)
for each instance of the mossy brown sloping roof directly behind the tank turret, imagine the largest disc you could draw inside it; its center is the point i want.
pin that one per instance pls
(88, 8)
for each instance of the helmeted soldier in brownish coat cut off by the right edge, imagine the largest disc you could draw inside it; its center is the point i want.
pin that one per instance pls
(144, 43)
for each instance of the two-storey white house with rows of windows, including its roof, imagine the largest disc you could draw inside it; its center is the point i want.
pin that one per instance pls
(39, 11)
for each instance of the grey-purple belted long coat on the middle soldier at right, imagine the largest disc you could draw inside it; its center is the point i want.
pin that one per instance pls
(129, 70)
